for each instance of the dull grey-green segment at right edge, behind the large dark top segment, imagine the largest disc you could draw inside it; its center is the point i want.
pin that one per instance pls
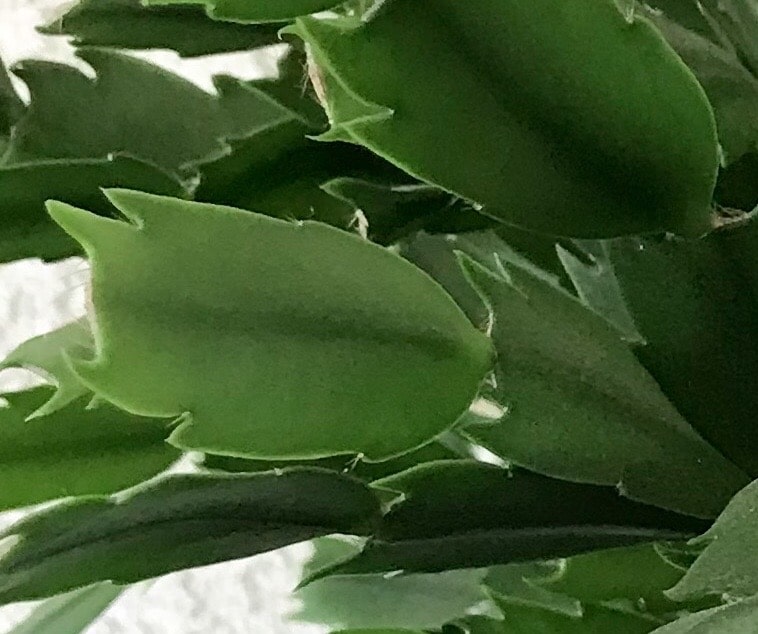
(731, 88)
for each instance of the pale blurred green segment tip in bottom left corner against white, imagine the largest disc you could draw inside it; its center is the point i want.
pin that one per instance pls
(70, 613)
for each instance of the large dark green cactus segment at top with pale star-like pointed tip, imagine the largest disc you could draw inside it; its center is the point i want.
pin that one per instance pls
(534, 110)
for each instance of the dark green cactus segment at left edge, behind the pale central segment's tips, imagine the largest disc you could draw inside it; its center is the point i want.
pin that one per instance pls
(27, 230)
